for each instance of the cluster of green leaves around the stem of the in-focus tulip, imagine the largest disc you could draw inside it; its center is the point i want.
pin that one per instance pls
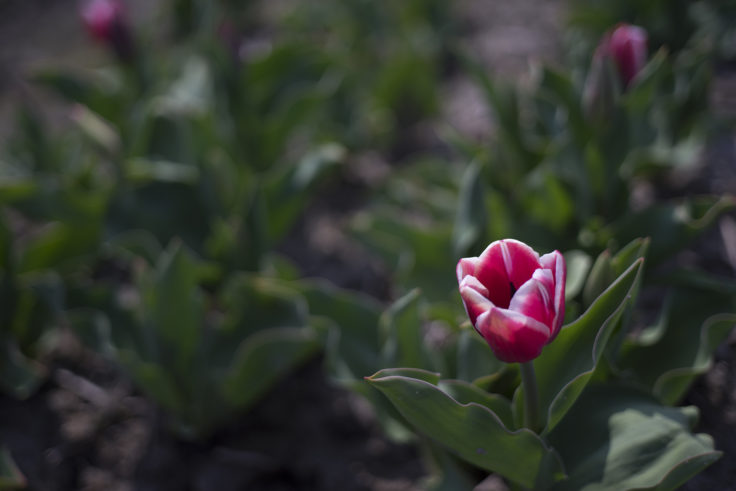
(604, 392)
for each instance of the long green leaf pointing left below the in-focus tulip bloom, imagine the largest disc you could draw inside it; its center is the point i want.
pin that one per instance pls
(472, 431)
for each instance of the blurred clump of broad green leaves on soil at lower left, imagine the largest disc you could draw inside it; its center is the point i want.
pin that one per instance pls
(204, 356)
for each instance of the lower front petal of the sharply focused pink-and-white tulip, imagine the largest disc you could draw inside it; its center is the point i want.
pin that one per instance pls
(513, 337)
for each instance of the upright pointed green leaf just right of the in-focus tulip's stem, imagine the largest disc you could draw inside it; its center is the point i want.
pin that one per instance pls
(567, 363)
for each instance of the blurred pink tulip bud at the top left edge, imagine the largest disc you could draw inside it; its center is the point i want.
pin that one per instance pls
(106, 23)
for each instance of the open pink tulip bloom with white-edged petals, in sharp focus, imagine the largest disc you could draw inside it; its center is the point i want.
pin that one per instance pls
(514, 298)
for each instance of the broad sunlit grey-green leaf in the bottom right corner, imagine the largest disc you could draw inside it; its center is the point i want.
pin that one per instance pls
(618, 439)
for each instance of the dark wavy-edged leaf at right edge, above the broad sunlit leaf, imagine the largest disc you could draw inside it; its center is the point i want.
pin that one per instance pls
(668, 356)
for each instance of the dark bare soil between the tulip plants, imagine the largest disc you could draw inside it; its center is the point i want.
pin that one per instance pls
(88, 429)
